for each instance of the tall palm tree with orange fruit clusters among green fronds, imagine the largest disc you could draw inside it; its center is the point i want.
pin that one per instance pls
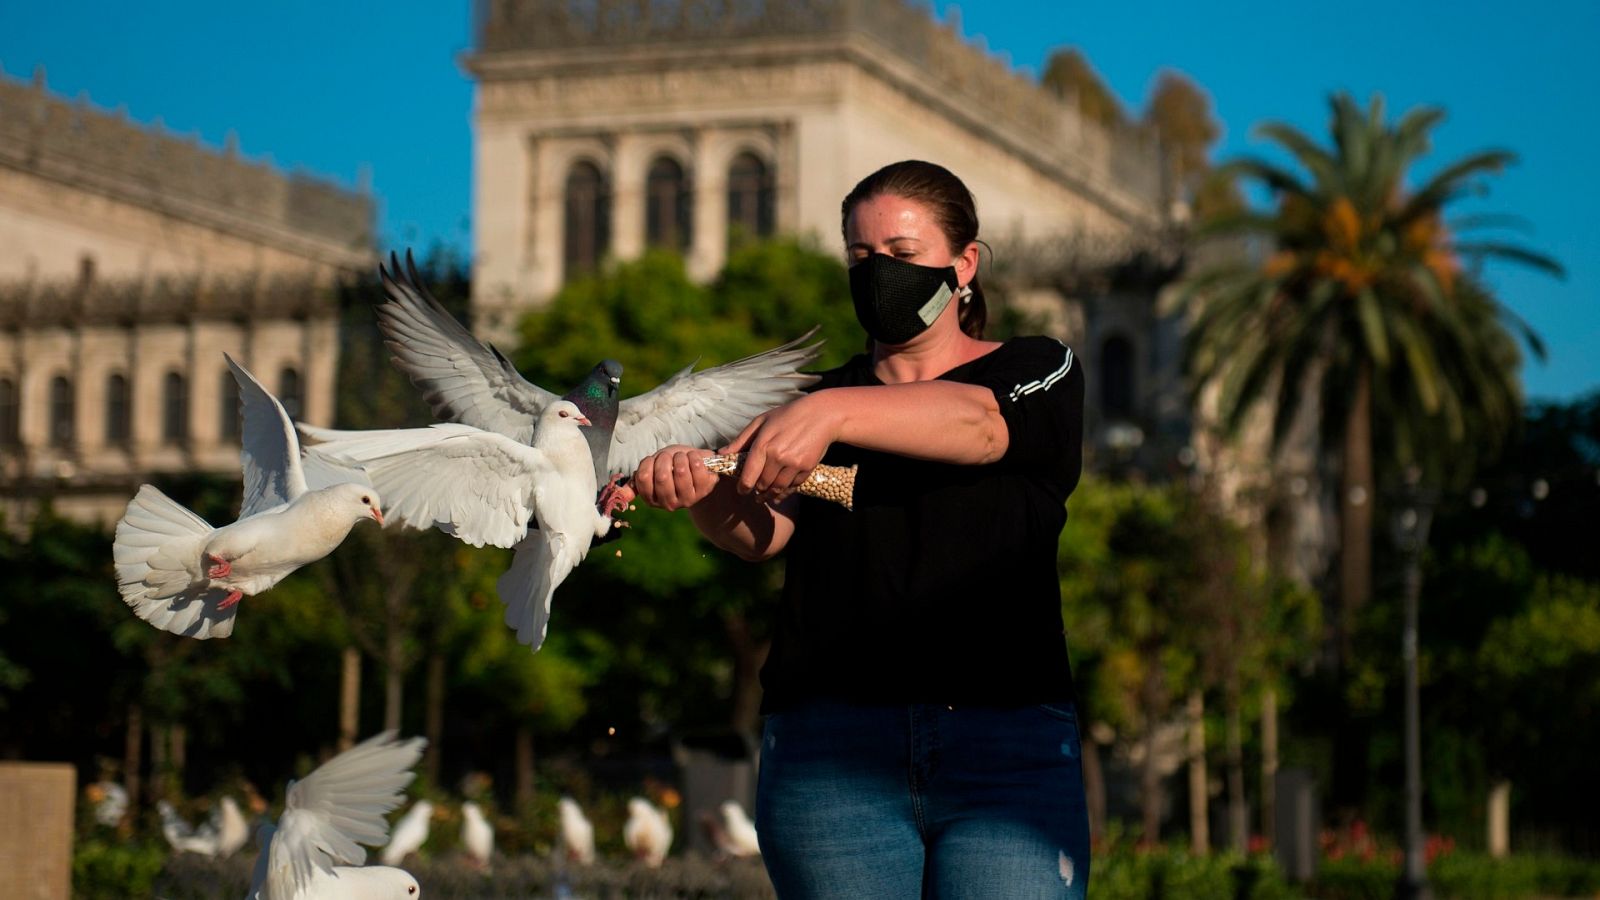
(1370, 308)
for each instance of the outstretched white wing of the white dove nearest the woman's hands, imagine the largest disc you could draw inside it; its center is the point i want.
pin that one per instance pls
(478, 486)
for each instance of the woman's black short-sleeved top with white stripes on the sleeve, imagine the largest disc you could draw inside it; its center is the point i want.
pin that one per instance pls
(942, 585)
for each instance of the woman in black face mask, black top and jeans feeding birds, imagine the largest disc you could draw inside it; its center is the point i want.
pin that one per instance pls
(921, 734)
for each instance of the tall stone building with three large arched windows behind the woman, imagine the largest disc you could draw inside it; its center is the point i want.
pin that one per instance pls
(612, 126)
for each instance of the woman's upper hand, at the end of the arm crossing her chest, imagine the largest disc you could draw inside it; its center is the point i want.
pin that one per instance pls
(783, 446)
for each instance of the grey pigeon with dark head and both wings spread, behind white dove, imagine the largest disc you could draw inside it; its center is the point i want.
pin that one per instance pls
(471, 382)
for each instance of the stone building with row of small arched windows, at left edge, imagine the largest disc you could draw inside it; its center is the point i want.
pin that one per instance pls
(130, 259)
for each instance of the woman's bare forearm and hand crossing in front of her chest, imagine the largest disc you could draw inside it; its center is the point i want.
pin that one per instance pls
(927, 420)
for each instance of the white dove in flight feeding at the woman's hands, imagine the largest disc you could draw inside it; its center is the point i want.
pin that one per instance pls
(484, 489)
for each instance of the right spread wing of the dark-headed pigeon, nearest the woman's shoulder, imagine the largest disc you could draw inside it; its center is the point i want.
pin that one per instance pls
(711, 408)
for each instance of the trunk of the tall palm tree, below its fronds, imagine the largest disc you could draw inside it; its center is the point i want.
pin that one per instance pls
(1356, 513)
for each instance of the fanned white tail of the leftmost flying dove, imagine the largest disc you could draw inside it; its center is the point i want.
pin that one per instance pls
(158, 558)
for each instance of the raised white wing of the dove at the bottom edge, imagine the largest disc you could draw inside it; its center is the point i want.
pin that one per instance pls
(337, 810)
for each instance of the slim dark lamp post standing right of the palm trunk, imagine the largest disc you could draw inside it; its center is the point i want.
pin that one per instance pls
(1412, 520)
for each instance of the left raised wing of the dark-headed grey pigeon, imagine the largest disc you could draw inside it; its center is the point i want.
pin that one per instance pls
(463, 379)
